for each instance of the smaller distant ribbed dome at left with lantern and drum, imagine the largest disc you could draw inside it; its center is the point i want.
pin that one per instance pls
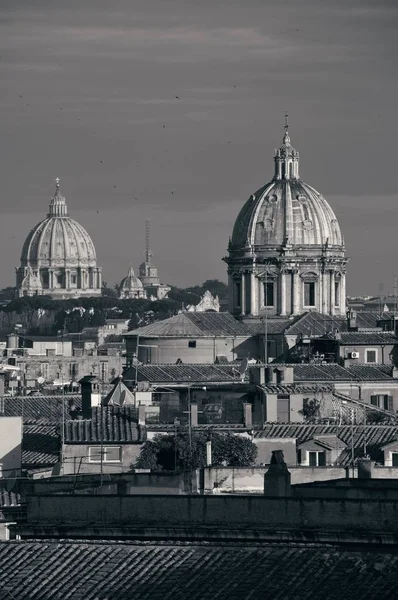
(58, 257)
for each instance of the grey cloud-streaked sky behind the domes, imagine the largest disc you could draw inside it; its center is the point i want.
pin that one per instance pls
(170, 110)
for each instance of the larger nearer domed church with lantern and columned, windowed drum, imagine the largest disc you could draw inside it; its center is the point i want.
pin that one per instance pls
(287, 253)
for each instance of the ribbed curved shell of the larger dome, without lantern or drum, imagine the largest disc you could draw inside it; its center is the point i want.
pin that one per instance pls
(286, 210)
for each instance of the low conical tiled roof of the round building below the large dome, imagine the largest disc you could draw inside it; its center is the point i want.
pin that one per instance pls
(206, 324)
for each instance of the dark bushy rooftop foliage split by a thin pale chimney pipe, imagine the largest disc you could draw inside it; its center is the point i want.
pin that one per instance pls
(170, 452)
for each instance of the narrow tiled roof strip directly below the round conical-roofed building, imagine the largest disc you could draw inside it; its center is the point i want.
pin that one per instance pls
(183, 373)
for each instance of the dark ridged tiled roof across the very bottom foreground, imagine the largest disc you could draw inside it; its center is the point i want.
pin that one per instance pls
(70, 570)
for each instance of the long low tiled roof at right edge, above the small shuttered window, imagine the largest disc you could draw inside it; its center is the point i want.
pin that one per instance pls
(335, 372)
